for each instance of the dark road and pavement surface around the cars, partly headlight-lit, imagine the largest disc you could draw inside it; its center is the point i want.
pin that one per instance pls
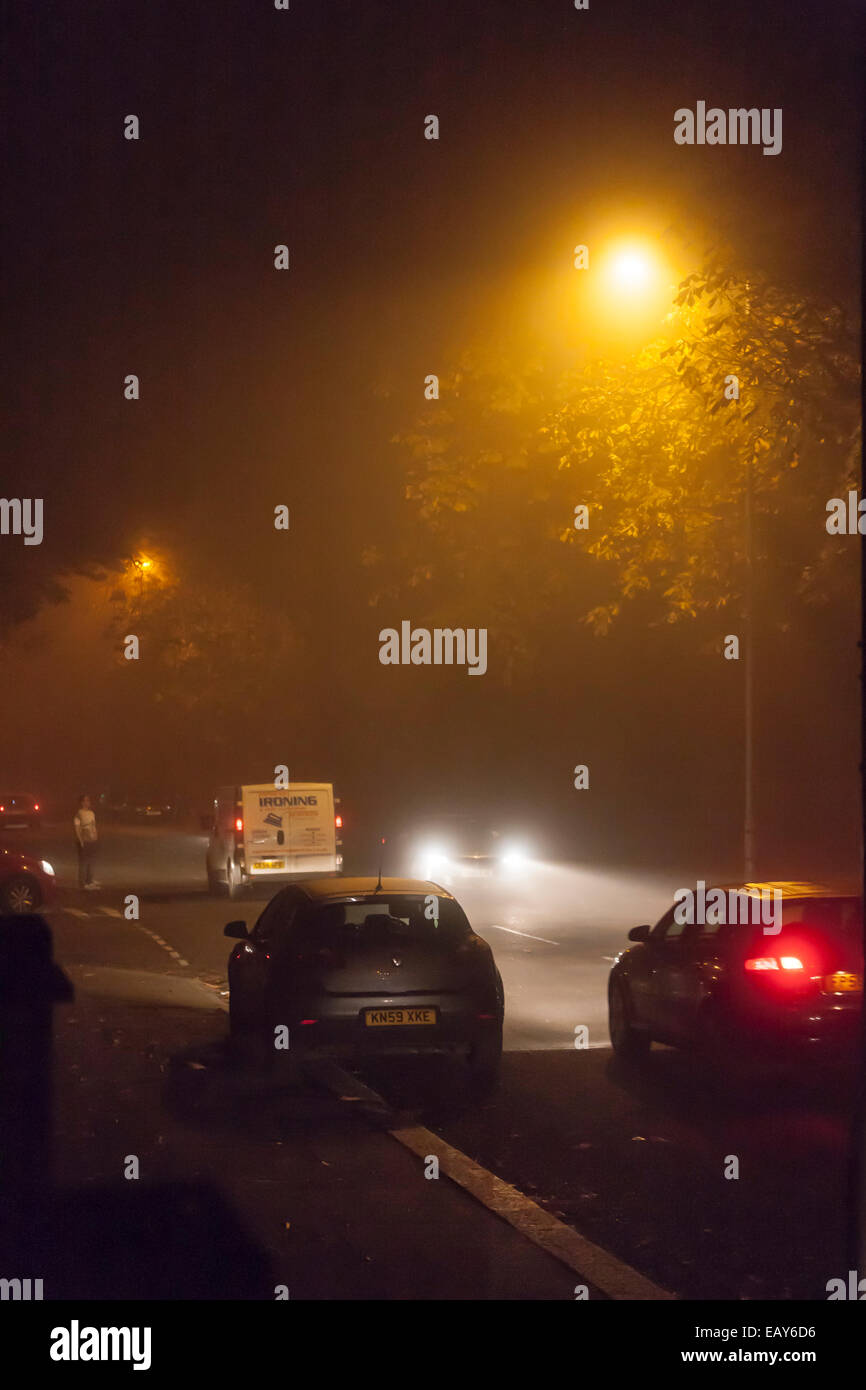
(618, 1175)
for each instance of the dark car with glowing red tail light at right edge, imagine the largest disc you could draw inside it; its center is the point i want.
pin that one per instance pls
(736, 992)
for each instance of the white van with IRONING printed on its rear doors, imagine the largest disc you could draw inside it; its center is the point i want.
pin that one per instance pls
(269, 833)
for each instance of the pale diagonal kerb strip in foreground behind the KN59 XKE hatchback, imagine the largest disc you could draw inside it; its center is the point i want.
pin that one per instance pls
(598, 1267)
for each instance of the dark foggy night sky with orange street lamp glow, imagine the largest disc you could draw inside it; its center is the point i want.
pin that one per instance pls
(155, 258)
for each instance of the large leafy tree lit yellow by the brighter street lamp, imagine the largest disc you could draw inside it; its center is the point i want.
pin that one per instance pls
(660, 448)
